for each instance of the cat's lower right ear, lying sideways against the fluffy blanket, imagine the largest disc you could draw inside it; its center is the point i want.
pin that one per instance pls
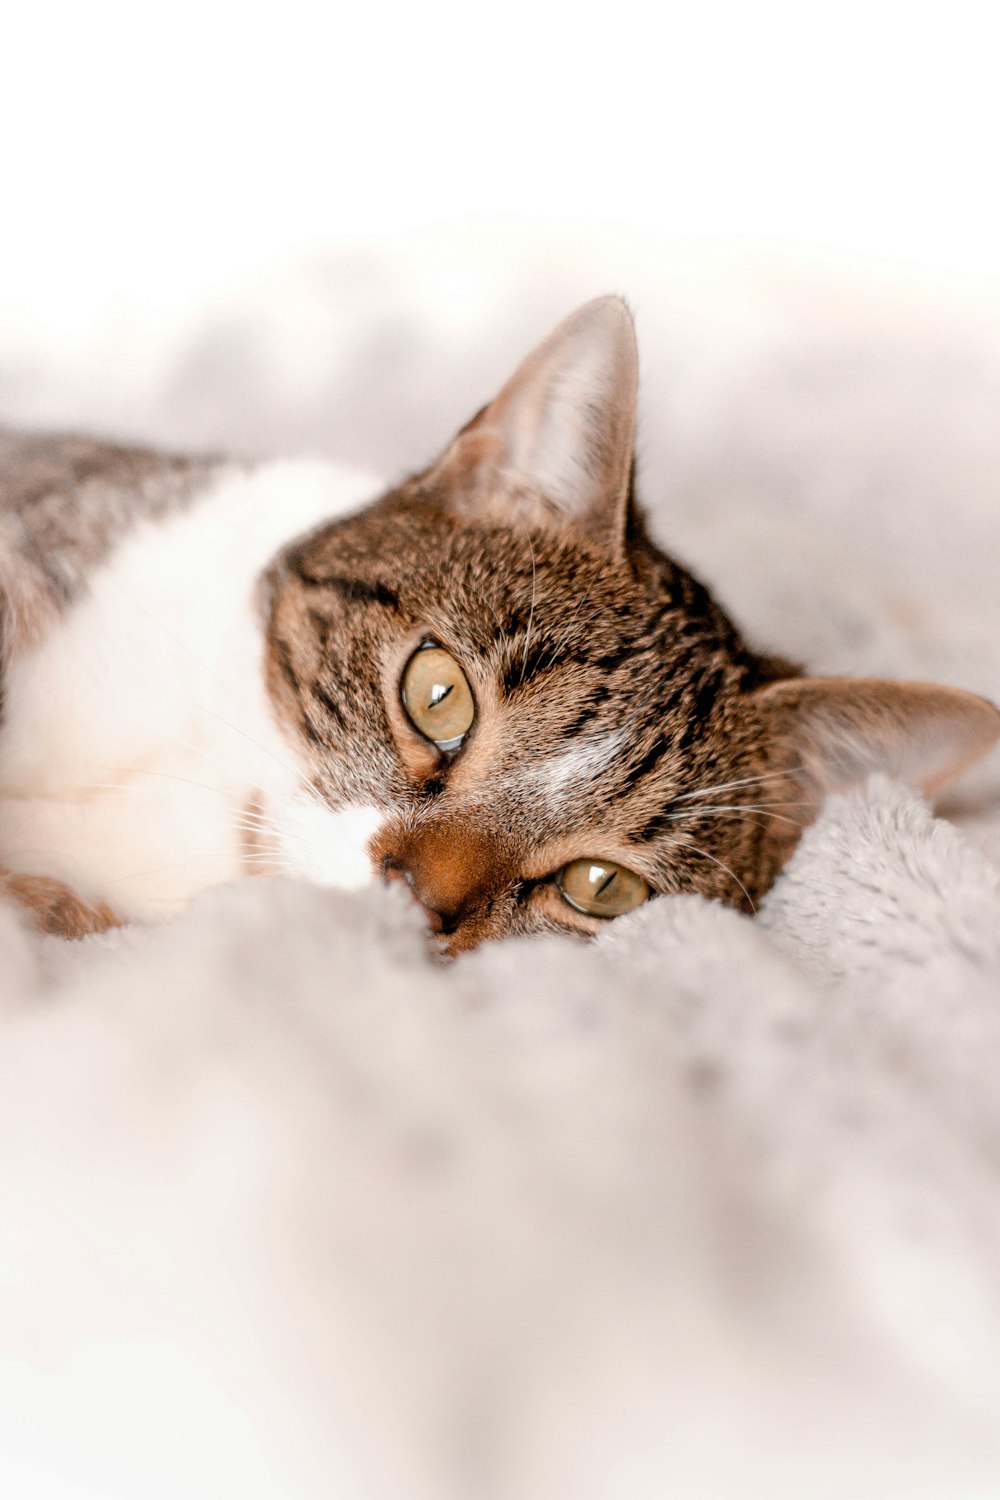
(842, 730)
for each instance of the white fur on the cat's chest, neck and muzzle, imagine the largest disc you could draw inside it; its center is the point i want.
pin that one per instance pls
(140, 760)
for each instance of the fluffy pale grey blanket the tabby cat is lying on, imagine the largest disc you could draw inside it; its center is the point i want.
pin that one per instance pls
(708, 1210)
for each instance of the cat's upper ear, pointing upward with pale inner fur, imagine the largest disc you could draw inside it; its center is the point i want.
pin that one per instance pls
(555, 446)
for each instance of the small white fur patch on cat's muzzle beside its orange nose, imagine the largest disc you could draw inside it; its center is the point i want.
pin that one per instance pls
(328, 845)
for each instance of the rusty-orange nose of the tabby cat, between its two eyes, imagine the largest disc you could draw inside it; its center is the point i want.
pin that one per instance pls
(454, 872)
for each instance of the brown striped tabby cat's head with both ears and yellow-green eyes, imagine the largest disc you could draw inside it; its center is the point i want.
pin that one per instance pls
(545, 718)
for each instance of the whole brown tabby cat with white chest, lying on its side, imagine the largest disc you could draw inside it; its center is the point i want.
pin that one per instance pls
(487, 683)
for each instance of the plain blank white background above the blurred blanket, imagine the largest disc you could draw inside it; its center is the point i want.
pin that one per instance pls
(155, 152)
